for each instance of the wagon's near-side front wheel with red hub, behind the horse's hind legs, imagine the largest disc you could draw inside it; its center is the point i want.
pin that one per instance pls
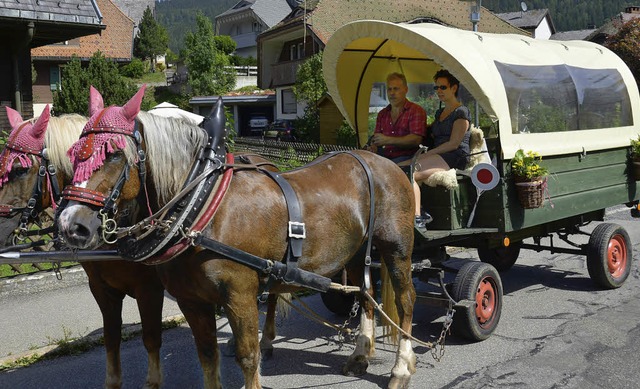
(480, 284)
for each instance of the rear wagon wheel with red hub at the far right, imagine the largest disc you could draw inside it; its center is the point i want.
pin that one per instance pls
(609, 255)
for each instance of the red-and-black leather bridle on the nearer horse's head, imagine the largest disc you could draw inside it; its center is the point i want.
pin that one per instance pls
(108, 201)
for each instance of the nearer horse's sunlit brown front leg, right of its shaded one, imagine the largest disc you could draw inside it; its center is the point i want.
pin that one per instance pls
(242, 313)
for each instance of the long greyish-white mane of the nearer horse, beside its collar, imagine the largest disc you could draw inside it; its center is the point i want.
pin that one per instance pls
(172, 145)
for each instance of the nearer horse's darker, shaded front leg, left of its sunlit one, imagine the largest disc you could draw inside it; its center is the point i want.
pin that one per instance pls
(202, 320)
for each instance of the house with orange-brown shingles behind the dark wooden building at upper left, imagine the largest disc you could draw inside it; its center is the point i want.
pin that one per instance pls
(115, 42)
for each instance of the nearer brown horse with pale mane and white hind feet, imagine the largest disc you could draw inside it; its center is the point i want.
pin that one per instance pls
(334, 199)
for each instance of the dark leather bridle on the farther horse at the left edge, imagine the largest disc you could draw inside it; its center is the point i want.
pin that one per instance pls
(33, 207)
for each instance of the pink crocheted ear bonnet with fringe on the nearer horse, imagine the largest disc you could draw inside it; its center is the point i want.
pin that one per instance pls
(105, 132)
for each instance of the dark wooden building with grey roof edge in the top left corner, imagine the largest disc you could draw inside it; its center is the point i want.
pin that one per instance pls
(28, 24)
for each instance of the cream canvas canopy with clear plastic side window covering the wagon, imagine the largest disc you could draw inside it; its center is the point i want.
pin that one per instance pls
(363, 52)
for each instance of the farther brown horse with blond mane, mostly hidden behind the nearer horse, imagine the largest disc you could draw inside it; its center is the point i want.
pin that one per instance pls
(109, 281)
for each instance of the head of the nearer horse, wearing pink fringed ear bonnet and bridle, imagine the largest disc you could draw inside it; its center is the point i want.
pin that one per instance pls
(108, 163)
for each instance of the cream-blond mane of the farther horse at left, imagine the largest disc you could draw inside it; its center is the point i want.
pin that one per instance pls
(62, 132)
